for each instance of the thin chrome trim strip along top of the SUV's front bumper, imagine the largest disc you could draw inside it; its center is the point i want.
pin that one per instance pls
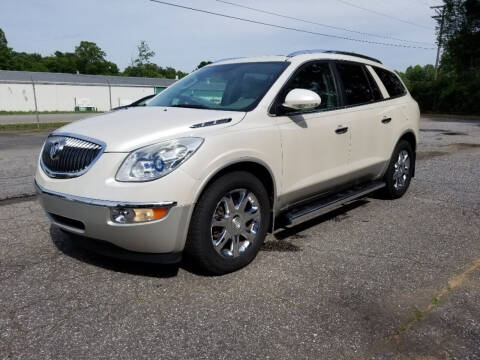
(104, 203)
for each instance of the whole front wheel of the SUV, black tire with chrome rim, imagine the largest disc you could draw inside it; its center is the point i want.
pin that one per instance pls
(229, 223)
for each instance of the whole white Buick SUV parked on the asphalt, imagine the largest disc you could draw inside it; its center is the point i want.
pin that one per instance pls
(228, 153)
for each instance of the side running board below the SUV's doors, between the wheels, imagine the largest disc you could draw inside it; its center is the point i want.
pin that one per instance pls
(326, 204)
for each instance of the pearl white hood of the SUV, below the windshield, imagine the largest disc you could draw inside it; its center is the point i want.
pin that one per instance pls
(129, 129)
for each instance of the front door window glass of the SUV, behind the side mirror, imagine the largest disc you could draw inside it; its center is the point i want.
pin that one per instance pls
(318, 78)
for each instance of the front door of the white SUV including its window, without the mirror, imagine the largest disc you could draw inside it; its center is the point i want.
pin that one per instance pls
(315, 144)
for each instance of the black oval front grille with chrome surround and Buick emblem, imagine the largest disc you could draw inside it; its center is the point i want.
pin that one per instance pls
(69, 156)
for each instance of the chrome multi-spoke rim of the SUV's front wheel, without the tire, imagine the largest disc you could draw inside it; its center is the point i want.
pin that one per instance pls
(235, 223)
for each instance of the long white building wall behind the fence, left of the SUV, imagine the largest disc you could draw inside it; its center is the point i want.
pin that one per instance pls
(53, 97)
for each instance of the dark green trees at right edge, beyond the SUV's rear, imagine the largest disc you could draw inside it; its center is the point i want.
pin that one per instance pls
(457, 89)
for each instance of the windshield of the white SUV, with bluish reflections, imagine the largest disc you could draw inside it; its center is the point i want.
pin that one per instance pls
(238, 87)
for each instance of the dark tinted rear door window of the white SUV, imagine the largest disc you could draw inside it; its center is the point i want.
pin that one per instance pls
(356, 87)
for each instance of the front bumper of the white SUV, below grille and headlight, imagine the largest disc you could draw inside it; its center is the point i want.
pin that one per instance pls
(92, 218)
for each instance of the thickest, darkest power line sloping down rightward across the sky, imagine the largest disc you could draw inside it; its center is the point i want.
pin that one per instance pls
(289, 28)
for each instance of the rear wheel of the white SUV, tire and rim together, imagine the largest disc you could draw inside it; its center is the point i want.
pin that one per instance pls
(400, 170)
